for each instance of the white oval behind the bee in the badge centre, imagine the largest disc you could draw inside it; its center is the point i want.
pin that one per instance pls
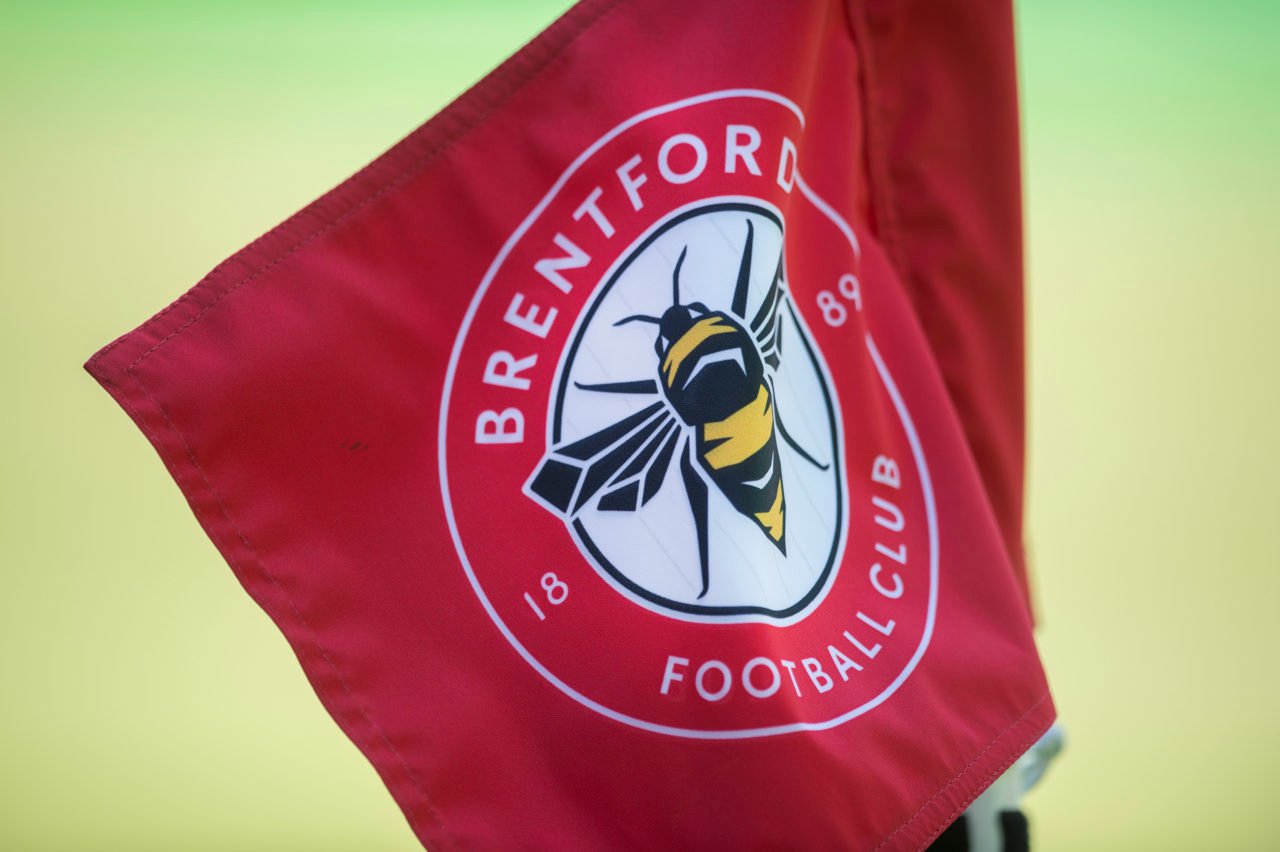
(656, 548)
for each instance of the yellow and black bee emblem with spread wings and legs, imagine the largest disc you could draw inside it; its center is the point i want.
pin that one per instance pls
(716, 410)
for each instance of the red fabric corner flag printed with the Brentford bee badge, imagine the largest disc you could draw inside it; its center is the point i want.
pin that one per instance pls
(318, 400)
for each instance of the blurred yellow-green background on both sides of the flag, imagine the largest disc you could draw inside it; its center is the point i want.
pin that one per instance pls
(148, 704)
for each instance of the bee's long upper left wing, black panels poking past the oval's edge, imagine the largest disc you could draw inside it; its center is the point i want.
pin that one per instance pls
(573, 474)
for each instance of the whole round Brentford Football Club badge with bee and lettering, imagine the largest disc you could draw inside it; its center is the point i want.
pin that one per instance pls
(678, 470)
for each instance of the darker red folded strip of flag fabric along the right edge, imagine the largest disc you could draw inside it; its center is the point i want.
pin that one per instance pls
(949, 208)
